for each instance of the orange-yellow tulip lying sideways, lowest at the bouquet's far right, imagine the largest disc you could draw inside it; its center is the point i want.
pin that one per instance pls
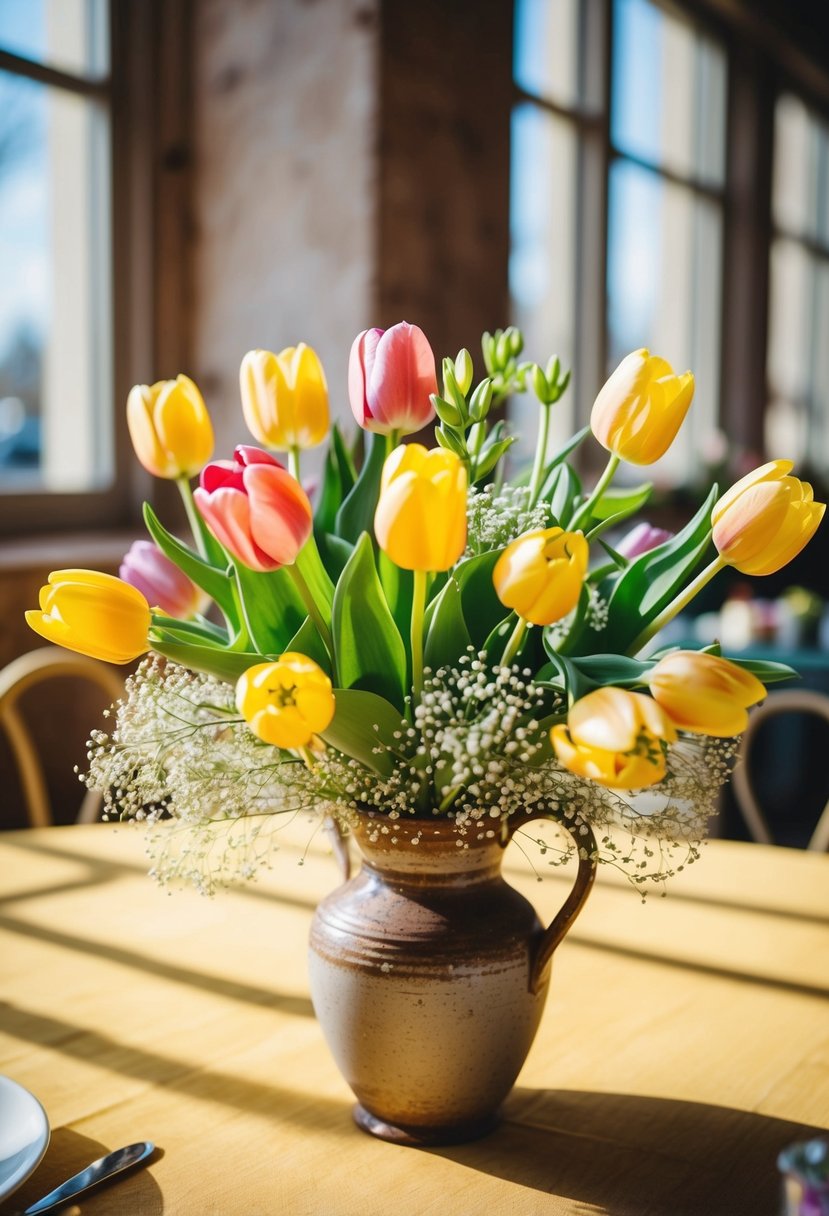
(704, 694)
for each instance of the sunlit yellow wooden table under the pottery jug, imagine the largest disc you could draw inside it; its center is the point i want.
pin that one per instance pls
(685, 1043)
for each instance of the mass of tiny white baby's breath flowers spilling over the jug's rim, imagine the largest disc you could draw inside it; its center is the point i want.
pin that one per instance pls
(476, 751)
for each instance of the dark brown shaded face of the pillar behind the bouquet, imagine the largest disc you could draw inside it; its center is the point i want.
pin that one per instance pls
(445, 95)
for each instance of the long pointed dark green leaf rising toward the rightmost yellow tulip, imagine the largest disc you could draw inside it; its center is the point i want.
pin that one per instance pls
(653, 581)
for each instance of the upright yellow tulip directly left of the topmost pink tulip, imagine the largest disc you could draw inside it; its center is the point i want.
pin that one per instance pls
(285, 398)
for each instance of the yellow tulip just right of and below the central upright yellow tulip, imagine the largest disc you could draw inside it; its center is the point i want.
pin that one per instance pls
(542, 575)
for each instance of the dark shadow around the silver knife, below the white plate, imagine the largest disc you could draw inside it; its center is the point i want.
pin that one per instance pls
(132, 1195)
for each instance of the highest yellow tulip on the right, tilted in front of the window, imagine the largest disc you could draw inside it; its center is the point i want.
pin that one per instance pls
(641, 408)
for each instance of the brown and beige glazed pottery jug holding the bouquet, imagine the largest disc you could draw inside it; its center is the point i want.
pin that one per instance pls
(430, 976)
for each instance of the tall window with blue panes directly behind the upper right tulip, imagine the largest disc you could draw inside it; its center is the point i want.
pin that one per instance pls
(650, 134)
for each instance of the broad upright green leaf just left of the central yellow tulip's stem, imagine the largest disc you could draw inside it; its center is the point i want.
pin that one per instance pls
(369, 648)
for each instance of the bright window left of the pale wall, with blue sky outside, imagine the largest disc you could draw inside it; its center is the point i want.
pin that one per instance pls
(57, 429)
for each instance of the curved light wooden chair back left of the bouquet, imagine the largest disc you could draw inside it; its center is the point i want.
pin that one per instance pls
(22, 674)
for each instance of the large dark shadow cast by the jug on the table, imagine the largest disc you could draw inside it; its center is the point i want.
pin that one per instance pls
(625, 1156)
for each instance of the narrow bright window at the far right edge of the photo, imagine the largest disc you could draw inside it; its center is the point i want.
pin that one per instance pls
(798, 367)
